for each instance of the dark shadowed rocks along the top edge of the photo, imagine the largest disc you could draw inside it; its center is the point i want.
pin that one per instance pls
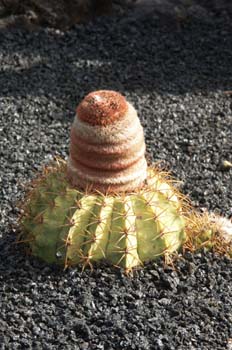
(63, 14)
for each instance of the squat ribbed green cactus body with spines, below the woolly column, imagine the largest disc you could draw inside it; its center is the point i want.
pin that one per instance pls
(64, 225)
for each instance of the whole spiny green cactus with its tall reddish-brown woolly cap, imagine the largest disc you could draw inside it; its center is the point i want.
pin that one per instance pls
(105, 202)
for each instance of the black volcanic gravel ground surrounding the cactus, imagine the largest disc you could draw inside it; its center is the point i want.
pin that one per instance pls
(176, 78)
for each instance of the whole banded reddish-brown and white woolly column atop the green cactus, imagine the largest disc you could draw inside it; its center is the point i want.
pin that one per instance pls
(107, 149)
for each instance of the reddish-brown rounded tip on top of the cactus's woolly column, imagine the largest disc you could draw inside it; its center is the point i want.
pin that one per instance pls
(102, 107)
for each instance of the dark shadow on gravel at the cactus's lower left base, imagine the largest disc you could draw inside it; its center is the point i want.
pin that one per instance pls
(17, 264)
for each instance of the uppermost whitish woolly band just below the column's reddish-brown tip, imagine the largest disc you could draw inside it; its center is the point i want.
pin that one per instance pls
(126, 128)
